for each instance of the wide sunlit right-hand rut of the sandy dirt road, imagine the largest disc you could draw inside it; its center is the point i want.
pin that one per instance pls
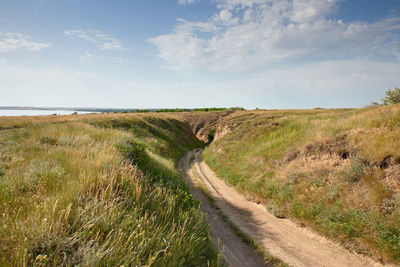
(292, 244)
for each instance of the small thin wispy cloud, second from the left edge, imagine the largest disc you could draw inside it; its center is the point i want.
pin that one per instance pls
(101, 40)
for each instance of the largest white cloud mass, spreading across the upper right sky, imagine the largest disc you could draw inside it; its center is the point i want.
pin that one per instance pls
(249, 33)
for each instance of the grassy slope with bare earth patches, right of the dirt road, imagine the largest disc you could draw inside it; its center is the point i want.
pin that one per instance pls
(335, 170)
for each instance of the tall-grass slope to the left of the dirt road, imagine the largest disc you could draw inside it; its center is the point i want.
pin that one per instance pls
(98, 189)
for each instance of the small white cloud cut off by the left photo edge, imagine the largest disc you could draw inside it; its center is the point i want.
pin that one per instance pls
(16, 41)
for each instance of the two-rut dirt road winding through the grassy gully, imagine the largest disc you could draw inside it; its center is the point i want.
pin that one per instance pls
(292, 244)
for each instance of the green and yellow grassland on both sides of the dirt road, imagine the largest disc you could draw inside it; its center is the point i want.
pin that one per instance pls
(104, 189)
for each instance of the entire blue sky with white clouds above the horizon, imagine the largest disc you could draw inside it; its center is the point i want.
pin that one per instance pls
(198, 53)
